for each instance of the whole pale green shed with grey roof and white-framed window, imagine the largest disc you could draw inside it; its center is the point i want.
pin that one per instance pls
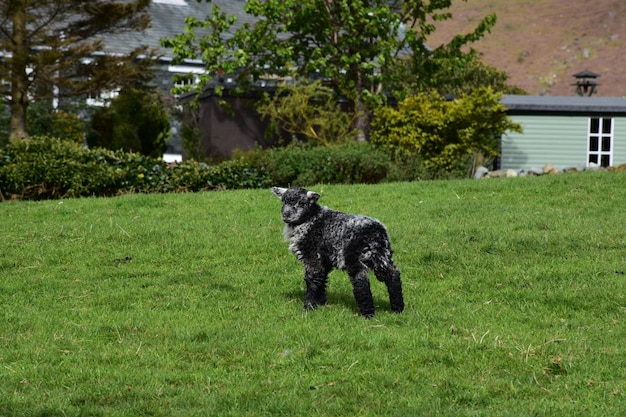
(574, 131)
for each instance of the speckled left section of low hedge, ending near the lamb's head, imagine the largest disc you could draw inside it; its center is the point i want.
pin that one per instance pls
(40, 168)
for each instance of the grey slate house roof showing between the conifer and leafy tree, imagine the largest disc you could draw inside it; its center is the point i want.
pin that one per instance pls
(168, 19)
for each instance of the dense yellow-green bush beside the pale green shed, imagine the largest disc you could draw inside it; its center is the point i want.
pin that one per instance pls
(443, 131)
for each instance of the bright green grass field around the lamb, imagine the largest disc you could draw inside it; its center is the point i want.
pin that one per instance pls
(191, 305)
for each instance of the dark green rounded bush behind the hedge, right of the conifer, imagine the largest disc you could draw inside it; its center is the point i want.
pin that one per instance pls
(135, 121)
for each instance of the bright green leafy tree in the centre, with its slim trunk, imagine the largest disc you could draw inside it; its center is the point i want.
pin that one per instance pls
(355, 46)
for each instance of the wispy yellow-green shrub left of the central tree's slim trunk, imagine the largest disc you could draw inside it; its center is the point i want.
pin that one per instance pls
(308, 112)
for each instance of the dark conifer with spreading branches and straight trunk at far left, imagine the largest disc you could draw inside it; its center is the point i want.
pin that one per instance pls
(50, 50)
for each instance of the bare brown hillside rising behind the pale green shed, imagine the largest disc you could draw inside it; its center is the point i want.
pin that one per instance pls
(542, 43)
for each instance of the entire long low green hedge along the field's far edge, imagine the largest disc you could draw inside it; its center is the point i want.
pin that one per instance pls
(48, 168)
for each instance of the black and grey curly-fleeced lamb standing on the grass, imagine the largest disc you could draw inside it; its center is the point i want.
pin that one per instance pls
(323, 239)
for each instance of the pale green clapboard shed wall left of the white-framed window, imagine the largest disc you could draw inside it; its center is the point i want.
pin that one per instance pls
(557, 140)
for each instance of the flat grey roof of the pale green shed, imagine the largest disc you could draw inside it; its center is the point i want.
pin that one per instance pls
(517, 104)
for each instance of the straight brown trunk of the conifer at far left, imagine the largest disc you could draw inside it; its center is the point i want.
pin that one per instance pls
(19, 77)
